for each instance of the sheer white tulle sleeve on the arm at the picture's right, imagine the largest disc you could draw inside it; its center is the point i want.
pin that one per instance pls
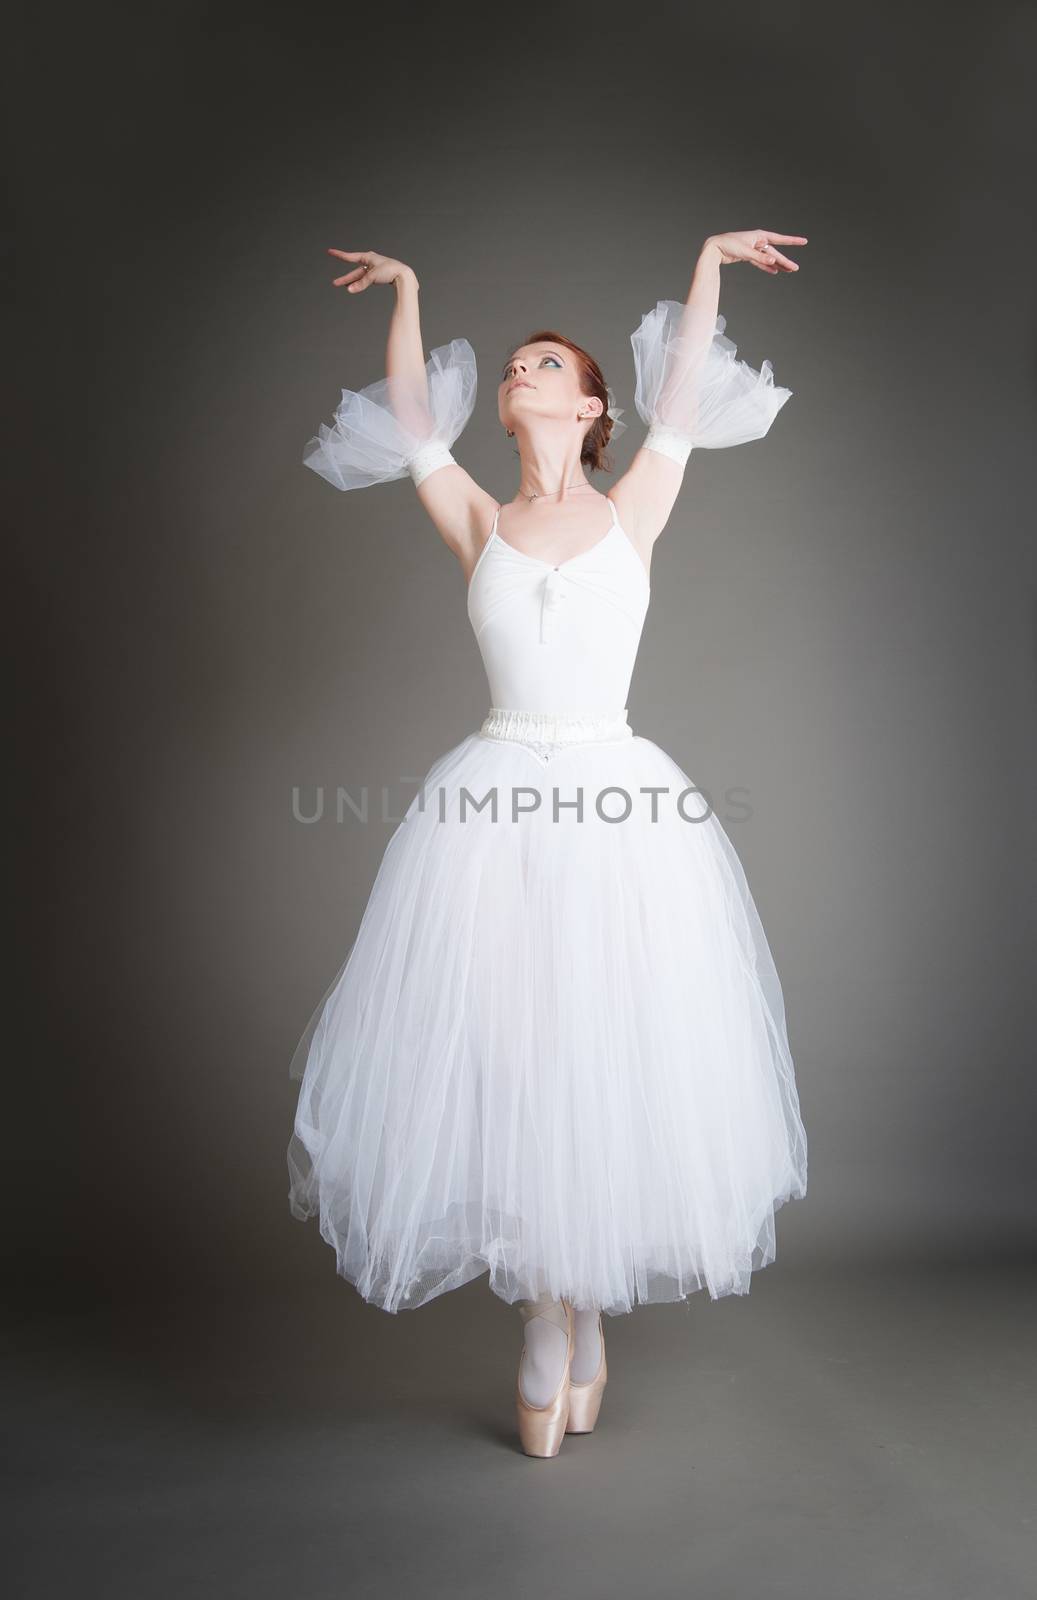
(691, 388)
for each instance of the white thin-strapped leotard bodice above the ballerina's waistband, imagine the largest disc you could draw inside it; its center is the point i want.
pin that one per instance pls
(559, 639)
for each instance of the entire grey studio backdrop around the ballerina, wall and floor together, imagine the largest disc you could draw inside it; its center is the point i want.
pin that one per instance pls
(843, 625)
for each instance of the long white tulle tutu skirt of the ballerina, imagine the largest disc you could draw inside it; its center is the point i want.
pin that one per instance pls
(558, 1049)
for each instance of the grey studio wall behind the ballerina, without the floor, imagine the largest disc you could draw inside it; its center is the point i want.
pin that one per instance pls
(843, 614)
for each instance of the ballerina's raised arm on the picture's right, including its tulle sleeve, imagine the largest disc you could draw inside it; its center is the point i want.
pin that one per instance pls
(691, 390)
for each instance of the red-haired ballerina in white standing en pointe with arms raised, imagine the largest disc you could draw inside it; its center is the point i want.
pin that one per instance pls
(558, 1050)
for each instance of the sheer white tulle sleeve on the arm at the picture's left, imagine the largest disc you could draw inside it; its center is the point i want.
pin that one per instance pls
(383, 433)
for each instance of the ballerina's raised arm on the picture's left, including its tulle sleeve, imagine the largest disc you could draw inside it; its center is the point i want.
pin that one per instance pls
(407, 422)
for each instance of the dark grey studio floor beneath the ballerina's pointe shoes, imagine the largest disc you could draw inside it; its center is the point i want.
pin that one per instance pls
(835, 1436)
